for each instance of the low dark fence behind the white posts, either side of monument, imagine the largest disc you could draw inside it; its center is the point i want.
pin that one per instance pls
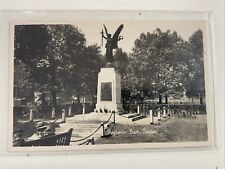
(46, 112)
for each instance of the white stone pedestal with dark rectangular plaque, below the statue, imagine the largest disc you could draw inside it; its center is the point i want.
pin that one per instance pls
(109, 91)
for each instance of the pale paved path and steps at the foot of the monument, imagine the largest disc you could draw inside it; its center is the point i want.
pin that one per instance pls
(85, 124)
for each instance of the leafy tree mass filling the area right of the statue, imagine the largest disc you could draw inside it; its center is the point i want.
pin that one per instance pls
(163, 63)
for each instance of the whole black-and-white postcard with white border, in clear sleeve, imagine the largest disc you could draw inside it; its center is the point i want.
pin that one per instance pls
(96, 84)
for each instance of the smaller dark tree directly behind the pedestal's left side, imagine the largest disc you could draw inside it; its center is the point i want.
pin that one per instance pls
(83, 76)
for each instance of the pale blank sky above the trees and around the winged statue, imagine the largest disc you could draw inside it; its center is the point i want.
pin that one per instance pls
(133, 29)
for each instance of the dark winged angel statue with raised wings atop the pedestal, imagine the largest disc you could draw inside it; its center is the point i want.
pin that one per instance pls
(111, 43)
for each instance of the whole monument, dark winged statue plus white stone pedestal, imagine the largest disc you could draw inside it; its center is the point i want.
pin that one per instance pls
(109, 80)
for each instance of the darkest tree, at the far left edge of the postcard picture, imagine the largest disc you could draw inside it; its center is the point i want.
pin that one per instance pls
(30, 47)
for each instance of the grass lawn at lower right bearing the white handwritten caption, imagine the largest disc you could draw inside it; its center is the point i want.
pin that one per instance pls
(171, 130)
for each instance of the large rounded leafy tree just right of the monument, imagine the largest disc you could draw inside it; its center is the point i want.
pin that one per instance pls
(157, 64)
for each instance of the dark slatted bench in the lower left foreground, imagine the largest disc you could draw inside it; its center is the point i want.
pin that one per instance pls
(55, 140)
